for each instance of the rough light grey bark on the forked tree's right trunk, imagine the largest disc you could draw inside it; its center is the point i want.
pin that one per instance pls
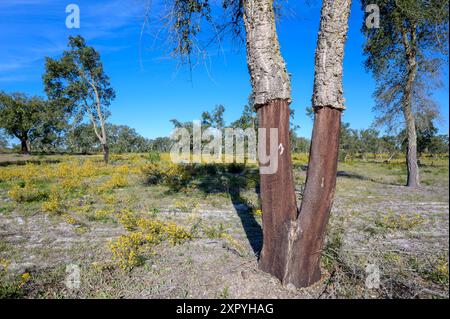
(330, 54)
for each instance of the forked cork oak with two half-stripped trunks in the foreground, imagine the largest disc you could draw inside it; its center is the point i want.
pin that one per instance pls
(293, 240)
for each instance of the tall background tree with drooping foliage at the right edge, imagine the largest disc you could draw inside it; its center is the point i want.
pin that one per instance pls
(405, 56)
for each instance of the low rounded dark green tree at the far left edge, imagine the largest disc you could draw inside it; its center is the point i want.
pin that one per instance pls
(30, 118)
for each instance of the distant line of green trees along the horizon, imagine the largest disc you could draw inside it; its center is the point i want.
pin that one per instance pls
(42, 127)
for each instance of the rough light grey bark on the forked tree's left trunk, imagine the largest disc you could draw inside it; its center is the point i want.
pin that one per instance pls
(270, 80)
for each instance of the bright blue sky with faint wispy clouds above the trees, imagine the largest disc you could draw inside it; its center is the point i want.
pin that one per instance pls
(151, 88)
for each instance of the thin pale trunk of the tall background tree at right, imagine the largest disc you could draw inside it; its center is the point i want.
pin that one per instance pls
(411, 150)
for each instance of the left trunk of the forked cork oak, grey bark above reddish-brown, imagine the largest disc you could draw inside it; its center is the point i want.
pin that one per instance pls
(272, 96)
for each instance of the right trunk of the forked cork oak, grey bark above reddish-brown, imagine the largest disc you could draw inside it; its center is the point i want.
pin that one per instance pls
(307, 236)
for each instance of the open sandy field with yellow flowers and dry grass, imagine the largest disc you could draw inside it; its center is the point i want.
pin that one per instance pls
(144, 228)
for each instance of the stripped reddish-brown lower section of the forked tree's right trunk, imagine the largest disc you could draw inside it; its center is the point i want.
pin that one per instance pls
(307, 236)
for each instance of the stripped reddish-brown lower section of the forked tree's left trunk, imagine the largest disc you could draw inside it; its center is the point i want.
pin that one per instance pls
(277, 191)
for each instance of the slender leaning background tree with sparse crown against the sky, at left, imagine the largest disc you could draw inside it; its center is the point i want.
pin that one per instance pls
(78, 81)
